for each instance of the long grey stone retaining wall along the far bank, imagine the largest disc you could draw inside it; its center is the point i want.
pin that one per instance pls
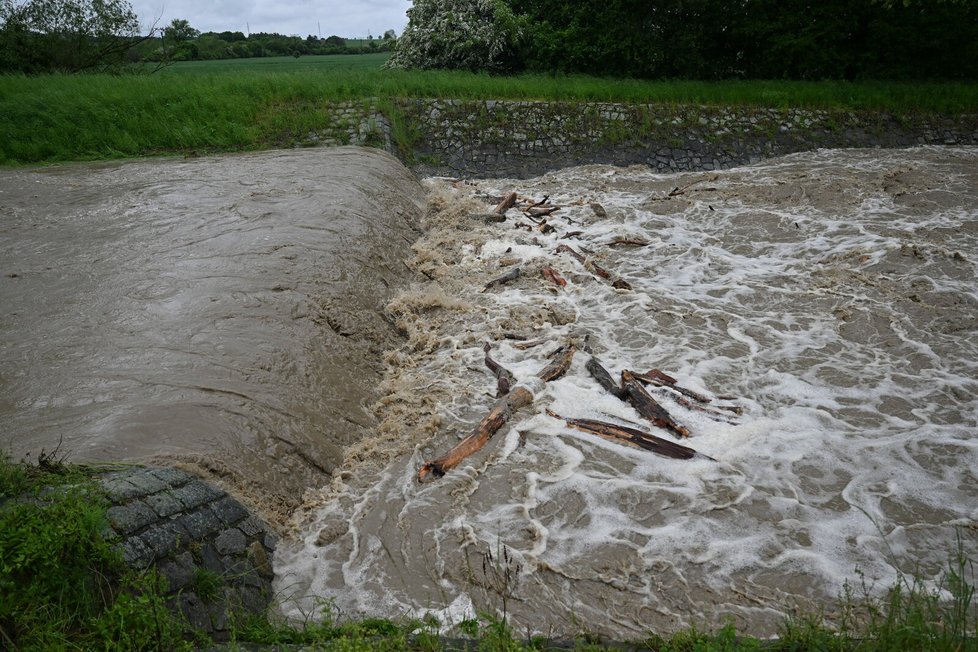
(520, 139)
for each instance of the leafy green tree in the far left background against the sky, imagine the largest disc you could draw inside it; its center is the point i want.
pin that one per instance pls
(66, 35)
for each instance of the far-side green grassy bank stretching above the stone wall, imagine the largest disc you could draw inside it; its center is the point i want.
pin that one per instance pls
(250, 104)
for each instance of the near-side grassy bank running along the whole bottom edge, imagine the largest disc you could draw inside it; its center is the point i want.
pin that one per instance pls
(63, 587)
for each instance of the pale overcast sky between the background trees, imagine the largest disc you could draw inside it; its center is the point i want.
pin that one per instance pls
(347, 18)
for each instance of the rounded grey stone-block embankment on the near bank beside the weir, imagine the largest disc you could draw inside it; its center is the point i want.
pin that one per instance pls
(214, 555)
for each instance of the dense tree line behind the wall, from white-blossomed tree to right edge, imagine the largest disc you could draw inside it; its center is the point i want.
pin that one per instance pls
(698, 39)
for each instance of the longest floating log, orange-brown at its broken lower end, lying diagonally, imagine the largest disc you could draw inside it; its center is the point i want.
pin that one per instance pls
(504, 408)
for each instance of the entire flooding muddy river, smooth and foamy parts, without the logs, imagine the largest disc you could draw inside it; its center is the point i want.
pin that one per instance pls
(258, 314)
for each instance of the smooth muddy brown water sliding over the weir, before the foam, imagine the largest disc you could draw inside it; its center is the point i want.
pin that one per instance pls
(221, 312)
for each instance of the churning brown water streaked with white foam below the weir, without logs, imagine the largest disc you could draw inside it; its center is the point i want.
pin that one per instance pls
(832, 294)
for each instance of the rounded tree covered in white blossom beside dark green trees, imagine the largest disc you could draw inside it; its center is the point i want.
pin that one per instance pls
(458, 34)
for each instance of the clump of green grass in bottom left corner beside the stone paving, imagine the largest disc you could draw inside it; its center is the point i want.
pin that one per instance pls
(63, 585)
